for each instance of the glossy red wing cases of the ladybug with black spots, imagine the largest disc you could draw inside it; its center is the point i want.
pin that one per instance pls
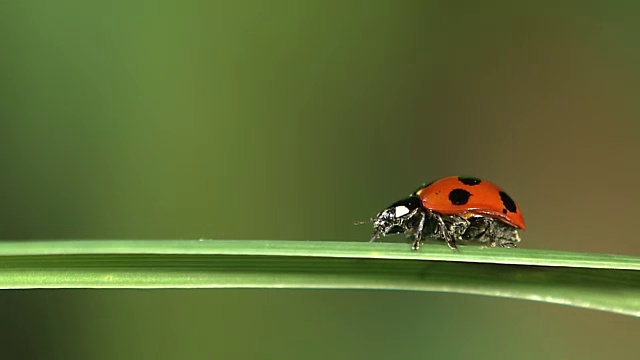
(460, 195)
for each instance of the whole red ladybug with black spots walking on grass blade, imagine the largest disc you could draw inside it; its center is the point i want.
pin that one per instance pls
(452, 209)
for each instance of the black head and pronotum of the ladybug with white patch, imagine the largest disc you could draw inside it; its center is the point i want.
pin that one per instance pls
(396, 218)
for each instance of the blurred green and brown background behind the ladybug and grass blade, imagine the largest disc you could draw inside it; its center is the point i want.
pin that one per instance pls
(290, 120)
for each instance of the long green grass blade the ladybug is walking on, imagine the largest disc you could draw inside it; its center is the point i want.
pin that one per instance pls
(595, 281)
